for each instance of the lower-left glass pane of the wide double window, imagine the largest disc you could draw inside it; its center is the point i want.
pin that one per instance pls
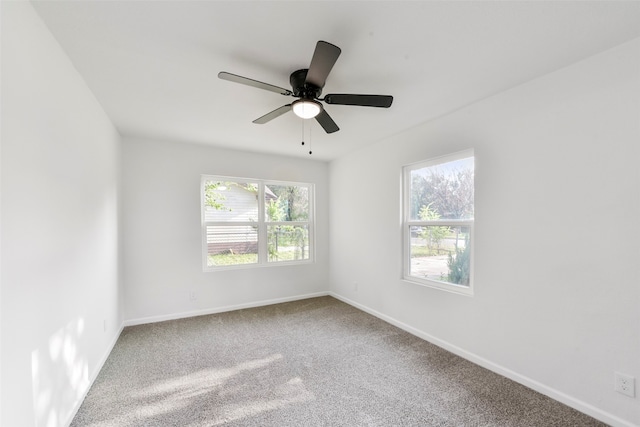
(231, 245)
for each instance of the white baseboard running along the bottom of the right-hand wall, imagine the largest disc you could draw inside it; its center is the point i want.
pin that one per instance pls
(505, 372)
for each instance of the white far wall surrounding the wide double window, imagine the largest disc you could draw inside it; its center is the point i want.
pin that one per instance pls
(162, 242)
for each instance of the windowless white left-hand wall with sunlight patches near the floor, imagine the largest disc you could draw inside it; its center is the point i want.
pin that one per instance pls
(59, 227)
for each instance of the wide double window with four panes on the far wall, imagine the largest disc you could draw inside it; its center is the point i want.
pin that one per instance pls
(251, 222)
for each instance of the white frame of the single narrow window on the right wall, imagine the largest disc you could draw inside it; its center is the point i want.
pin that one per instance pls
(407, 223)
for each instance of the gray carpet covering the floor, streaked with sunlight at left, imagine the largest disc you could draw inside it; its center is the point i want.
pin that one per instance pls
(315, 362)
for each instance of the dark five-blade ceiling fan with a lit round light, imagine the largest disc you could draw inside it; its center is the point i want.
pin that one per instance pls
(307, 86)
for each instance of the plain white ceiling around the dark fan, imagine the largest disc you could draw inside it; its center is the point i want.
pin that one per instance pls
(153, 65)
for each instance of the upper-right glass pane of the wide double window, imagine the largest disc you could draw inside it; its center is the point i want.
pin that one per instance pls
(286, 203)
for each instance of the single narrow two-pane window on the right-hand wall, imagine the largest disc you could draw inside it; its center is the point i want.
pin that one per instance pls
(438, 222)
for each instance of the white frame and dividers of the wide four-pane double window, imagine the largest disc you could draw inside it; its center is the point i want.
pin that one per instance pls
(262, 224)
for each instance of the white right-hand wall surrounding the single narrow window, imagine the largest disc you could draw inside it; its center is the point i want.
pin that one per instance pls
(557, 277)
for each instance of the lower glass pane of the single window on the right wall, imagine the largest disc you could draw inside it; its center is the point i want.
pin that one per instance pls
(441, 253)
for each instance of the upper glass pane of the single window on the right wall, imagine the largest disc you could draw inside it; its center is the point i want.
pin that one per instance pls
(442, 191)
